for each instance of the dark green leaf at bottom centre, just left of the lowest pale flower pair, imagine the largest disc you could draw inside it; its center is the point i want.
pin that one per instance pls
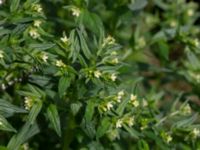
(103, 128)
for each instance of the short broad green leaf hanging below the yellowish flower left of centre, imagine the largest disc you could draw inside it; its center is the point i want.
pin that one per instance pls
(63, 84)
